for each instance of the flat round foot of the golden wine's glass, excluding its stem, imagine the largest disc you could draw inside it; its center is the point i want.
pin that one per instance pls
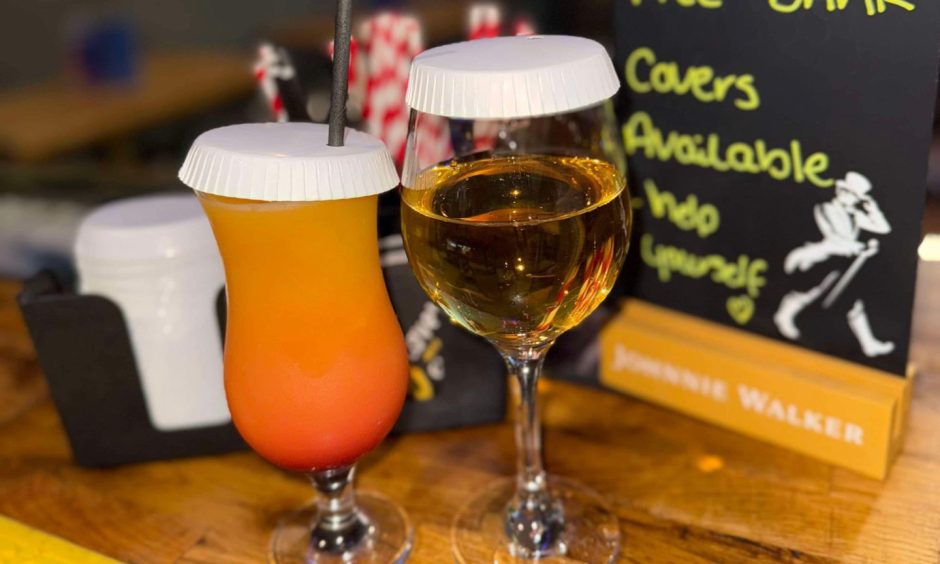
(591, 532)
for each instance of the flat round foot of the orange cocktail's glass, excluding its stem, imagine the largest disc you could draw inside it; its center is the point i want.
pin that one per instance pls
(389, 540)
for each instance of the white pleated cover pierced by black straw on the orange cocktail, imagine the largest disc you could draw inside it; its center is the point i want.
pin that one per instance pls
(287, 162)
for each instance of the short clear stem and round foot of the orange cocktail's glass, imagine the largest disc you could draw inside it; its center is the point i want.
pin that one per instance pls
(342, 526)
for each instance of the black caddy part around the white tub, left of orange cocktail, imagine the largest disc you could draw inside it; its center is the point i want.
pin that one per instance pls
(85, 351)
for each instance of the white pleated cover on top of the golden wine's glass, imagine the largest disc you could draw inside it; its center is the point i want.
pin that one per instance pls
(511, 77)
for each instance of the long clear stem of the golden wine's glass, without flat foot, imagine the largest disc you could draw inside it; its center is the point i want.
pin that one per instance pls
(534, 521)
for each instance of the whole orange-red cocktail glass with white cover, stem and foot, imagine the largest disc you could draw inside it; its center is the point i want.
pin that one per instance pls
(316, 367)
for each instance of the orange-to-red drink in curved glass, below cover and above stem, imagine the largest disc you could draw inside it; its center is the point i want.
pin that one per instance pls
(316, 368)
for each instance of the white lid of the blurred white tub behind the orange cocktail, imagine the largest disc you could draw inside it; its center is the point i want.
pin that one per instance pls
(145, 229)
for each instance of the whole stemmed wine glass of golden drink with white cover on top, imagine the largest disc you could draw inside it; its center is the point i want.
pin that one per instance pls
(519, 233)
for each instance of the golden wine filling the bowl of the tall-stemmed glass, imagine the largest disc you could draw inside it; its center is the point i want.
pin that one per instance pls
(517, 248)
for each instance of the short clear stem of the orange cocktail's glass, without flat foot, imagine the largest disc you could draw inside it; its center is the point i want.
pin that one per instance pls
(340, 527)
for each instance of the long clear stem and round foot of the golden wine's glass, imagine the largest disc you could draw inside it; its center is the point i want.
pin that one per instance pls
(534, 517)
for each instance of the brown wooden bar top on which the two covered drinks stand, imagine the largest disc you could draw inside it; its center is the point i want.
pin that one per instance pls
(684, 491)
